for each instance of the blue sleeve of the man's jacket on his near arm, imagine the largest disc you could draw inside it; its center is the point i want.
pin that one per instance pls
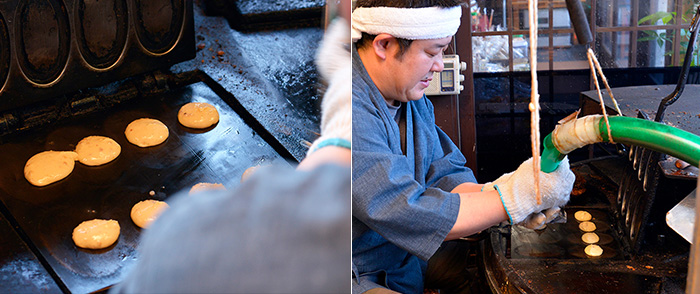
(385, 195)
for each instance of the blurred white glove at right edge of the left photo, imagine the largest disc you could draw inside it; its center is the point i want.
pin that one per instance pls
(334, 64)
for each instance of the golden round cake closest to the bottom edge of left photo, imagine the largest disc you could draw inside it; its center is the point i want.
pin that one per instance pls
(96, 233)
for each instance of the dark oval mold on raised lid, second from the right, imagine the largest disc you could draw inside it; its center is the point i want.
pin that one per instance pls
(101, 30)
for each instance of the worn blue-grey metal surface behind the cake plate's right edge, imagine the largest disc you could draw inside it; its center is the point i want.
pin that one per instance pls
(271, 72)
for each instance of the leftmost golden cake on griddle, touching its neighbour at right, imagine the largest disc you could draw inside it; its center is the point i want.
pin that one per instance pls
(49, 167)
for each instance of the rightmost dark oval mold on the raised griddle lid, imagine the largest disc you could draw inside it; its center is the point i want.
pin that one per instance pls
(159, 24)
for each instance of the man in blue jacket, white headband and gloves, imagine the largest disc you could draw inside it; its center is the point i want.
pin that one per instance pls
(411, 191)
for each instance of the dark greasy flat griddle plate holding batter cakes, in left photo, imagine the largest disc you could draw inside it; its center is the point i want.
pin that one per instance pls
(49, 214)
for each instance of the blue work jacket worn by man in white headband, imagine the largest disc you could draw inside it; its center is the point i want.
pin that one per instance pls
(402, 209)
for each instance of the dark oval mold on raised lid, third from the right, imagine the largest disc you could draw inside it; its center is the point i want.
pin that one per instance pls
(43, 40)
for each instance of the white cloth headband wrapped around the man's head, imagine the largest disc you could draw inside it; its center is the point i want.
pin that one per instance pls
(406, 23)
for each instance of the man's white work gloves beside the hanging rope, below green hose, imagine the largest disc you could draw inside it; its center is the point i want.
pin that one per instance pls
(517, 190)
